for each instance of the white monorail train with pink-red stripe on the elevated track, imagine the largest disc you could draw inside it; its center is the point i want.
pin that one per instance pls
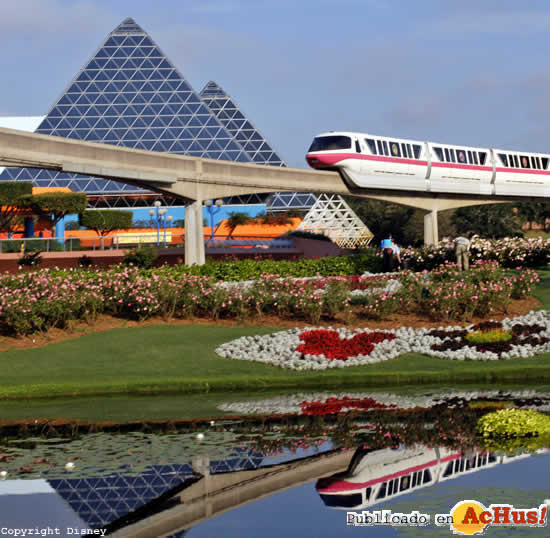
(379, 162)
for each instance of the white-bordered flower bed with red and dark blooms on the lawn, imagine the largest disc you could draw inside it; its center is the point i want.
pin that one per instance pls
(319, 349)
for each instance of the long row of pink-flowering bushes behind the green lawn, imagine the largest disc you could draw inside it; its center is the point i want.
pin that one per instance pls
(39, 300)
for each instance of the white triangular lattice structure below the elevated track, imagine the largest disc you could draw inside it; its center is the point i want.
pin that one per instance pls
(333, 217)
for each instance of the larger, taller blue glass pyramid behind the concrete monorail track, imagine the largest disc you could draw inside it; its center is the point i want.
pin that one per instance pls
(129, 94)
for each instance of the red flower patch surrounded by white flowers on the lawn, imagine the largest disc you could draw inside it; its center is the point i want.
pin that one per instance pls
(328, 343)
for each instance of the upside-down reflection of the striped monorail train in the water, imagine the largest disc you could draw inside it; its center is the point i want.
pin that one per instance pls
(375, 477)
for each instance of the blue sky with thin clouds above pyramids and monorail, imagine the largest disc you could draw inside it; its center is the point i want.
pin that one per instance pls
(466, 72)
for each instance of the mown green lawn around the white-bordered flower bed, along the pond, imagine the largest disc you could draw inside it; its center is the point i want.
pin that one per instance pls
(181, 359)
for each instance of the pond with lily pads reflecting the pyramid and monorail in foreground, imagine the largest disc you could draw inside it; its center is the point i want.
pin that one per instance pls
(274, 464)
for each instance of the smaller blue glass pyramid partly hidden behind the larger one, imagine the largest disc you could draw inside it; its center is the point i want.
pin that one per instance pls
(254, 143)
